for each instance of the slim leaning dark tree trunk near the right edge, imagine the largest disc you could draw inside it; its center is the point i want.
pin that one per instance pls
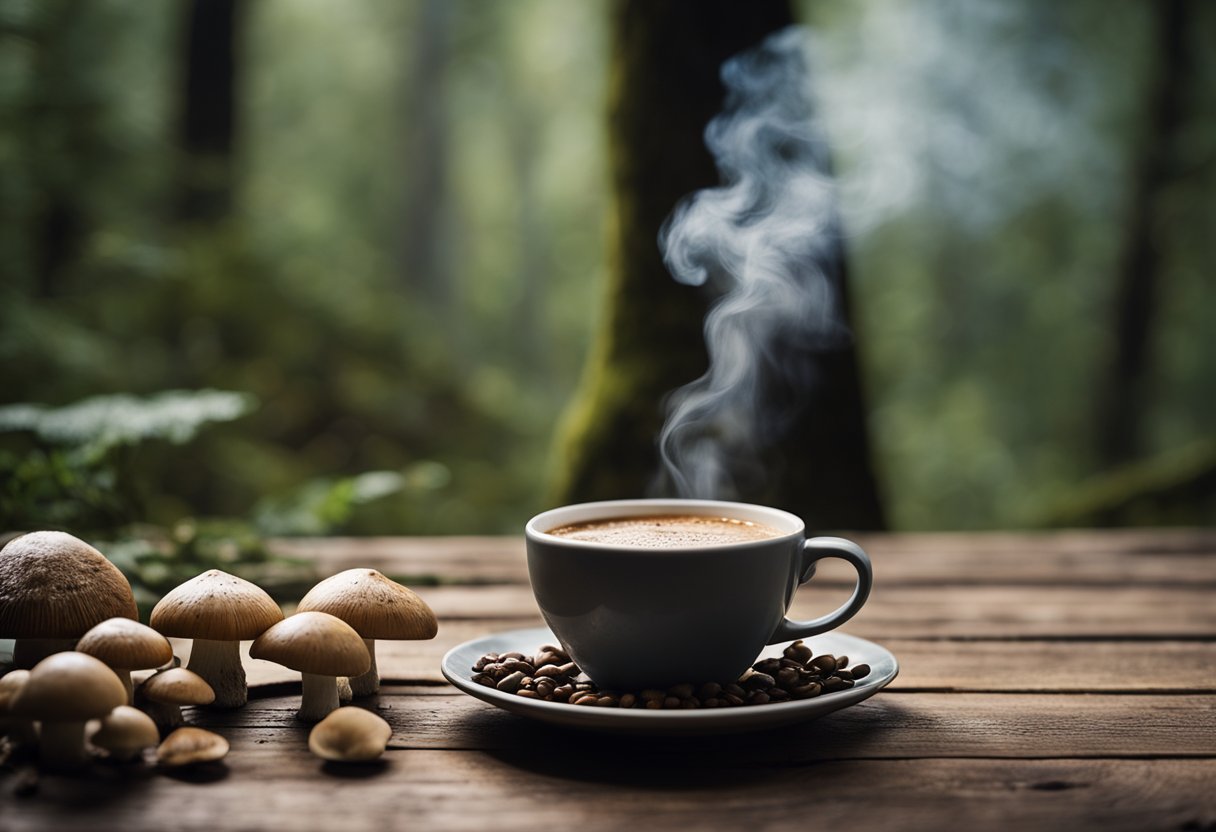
(1125, 392)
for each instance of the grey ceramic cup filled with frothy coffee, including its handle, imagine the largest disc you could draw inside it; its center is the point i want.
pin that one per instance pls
(657, 593)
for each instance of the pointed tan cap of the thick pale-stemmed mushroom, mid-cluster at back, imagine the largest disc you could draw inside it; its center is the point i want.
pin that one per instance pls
(216, 606)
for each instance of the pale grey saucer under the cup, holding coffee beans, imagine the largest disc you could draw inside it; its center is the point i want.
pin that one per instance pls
(459, 662)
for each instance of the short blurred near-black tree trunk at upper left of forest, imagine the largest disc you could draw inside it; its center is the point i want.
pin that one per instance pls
(209, 116)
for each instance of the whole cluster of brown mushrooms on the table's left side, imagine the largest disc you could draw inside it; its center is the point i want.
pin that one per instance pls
(78, 640)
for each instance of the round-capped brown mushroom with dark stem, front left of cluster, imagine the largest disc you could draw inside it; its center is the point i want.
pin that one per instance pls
(64, 693)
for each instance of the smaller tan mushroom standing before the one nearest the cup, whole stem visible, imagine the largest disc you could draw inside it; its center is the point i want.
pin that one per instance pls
(322, 648)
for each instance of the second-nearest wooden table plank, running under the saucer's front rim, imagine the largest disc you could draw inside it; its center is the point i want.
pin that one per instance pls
(888, 726)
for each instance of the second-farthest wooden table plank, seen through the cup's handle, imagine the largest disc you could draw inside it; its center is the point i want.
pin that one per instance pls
(947, 611)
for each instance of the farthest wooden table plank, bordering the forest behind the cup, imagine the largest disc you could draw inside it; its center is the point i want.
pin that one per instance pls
(1168, 558)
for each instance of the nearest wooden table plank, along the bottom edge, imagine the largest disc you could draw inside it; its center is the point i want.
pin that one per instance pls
(531, 789)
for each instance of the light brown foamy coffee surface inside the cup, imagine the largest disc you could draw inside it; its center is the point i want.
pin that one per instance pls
(667, 532)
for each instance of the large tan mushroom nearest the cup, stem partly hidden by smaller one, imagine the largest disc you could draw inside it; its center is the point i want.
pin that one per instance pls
(378, 608)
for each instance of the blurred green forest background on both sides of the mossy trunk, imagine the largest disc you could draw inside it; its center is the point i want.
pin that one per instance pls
(356, 293)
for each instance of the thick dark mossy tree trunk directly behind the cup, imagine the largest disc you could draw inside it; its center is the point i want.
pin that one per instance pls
(665, 91)
